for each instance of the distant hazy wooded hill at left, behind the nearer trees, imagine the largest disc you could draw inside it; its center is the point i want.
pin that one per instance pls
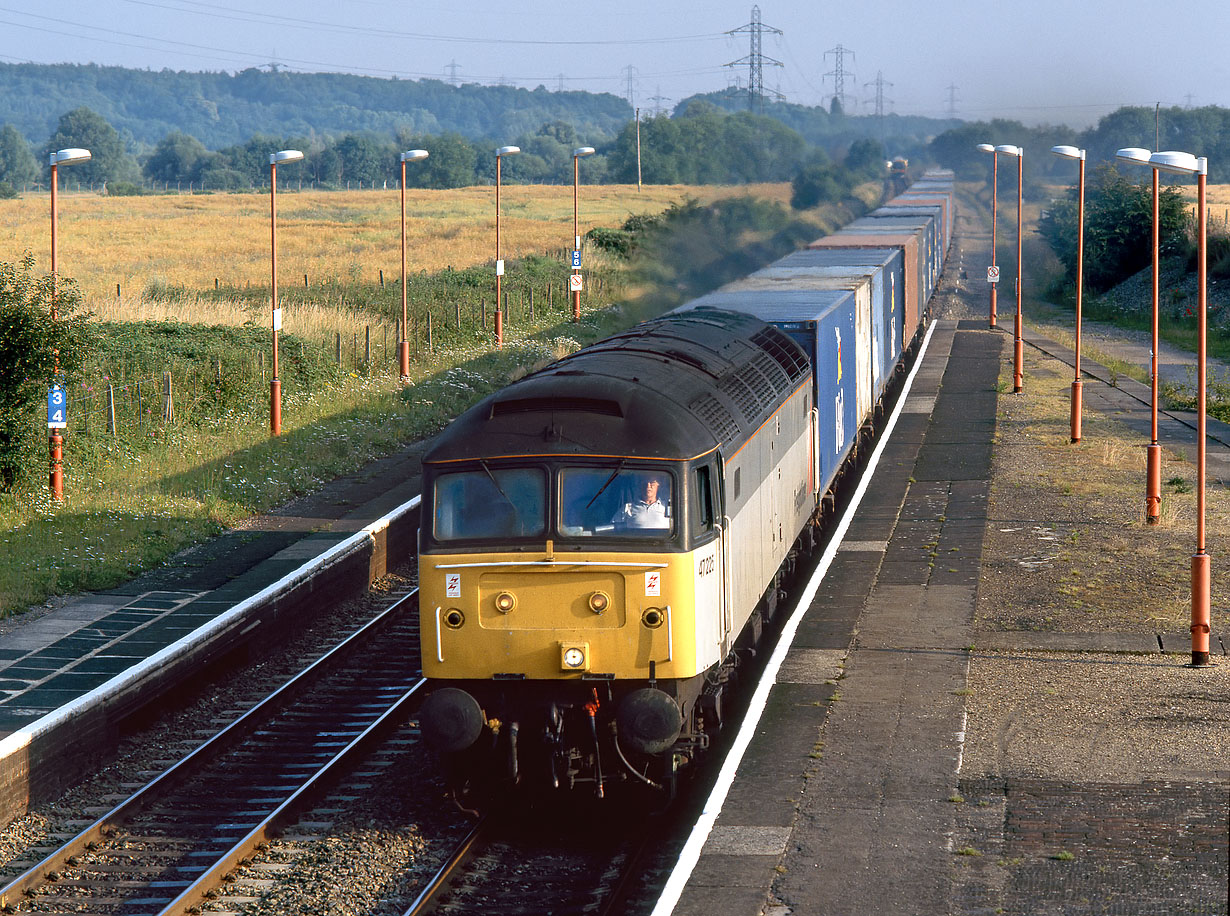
(222, 109)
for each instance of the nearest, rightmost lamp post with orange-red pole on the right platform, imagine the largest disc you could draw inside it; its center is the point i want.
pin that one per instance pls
(1202, 565)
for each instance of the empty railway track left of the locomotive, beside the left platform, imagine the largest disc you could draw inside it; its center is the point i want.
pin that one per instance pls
(172, 844)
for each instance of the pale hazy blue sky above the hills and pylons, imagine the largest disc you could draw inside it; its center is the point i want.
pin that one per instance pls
(1035, 61)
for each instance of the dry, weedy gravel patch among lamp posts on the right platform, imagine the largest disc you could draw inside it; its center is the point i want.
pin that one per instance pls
(1068, 549)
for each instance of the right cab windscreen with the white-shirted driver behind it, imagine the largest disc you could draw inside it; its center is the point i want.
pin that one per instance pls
(621, 502)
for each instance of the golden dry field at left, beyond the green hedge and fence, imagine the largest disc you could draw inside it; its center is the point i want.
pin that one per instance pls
(194, 240)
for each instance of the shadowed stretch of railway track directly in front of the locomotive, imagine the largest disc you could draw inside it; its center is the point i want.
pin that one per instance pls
(569, 860)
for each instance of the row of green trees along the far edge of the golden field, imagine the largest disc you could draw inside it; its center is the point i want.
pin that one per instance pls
(702, 144)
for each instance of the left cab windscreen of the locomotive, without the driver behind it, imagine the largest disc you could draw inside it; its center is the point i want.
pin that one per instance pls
(489, 503)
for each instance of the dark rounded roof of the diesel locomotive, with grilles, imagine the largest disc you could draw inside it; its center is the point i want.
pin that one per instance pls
(673, 388)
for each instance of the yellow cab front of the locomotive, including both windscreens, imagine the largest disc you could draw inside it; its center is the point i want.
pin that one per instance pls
(563, 572)
